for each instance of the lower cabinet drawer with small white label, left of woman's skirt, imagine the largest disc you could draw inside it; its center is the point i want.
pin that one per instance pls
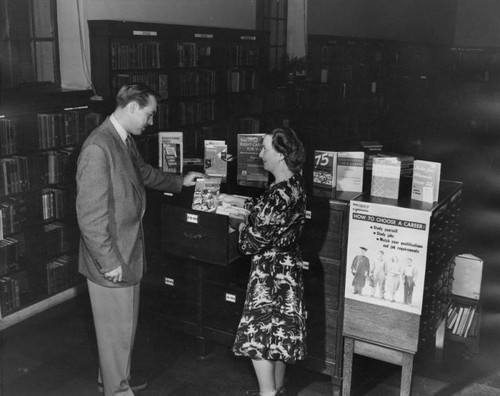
(222, 307)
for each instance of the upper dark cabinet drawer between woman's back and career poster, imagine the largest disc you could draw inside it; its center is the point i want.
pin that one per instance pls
(322, 234)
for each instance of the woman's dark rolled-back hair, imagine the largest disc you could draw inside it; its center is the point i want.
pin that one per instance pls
(286, 142)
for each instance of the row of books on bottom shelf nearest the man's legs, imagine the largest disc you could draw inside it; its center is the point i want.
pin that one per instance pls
(61, 273)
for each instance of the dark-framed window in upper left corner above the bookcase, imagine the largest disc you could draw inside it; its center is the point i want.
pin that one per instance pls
(29, 53)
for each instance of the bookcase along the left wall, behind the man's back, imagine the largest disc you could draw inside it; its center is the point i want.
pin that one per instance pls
(40, 140)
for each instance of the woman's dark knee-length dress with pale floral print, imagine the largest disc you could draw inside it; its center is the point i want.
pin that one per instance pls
(272, 325)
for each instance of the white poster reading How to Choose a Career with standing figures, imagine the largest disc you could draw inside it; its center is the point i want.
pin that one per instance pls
(386, 255)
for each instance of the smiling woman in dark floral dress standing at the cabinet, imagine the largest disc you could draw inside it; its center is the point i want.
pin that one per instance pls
(272, 330)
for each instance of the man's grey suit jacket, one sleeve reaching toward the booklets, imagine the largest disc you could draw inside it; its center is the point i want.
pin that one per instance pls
(110, 205)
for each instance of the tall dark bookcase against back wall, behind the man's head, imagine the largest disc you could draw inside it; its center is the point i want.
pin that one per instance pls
(212, 81)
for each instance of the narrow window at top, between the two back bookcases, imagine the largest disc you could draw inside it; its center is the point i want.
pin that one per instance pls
(272, 17)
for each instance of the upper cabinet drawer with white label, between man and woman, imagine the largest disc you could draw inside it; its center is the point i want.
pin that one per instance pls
(198, 235)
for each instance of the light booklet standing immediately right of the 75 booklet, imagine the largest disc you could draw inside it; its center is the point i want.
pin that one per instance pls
(350, 169)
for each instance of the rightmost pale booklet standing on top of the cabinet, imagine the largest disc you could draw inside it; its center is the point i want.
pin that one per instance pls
(425, 181)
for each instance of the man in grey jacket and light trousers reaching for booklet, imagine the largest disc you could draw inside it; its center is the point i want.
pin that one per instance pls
(110, 205)
